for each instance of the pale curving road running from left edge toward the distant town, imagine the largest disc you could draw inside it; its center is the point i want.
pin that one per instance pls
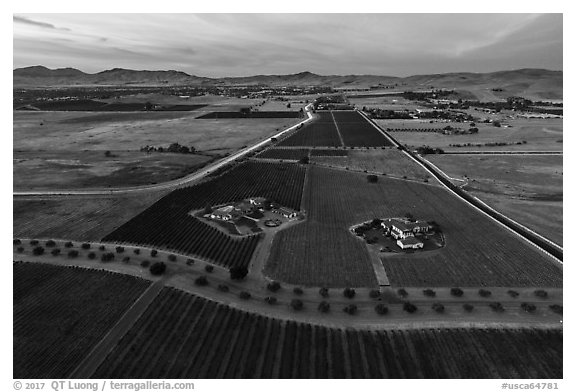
(174, 183)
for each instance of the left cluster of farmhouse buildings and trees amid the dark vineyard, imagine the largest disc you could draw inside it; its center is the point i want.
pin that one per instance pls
(250, 206)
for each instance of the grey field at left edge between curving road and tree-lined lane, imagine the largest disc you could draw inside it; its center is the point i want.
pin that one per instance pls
(80, 218)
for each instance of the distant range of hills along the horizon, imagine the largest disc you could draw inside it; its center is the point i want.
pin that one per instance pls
(538, 83)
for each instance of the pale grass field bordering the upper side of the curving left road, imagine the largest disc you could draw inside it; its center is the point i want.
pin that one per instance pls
(40, 170)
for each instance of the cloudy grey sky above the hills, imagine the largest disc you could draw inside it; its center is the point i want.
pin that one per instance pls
(216, 45)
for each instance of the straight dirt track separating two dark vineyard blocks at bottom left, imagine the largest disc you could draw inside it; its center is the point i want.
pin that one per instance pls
(92, 361)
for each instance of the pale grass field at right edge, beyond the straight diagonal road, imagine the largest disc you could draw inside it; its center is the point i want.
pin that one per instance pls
(527, 188)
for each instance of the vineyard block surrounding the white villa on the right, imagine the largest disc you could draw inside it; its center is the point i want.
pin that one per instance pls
(478, 251)
